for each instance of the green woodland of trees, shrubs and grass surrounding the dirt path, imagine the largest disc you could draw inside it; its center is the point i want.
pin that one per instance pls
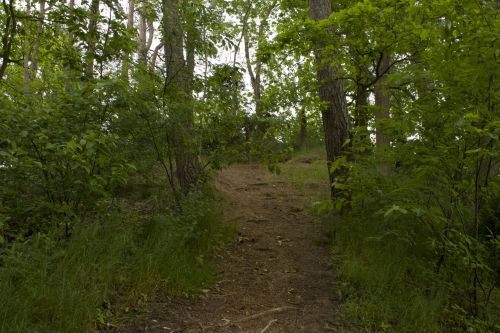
(114, 116)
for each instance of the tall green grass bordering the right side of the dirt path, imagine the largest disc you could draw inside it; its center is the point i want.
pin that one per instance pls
(385, 283)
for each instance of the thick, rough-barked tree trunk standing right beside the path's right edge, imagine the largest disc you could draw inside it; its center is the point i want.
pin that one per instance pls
(336, 123)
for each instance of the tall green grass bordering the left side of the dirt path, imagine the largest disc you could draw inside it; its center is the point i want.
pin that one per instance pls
(106, 268)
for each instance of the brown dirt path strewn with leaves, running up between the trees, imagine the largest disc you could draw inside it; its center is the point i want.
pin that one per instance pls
(276, 277)
